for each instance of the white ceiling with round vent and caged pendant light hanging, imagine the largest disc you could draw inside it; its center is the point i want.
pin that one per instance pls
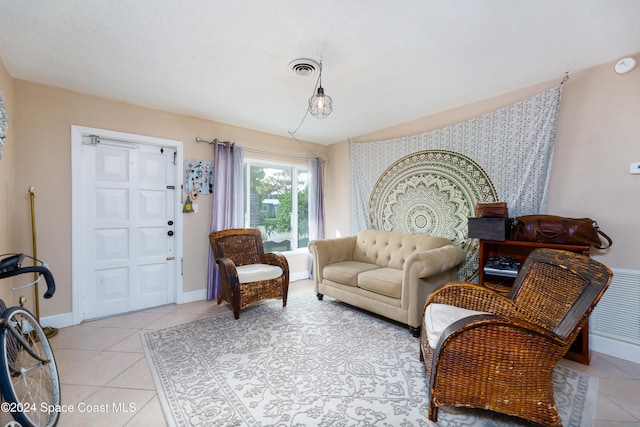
(384, 62)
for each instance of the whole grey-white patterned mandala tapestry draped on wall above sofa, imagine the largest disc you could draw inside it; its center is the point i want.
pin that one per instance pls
(430, 182)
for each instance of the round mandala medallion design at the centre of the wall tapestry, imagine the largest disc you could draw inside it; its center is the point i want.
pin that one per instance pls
(432, 192)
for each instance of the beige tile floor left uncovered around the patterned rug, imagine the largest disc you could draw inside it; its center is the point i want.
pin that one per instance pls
(101, 364)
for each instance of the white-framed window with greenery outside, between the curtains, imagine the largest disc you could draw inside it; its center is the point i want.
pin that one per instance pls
(277, 203)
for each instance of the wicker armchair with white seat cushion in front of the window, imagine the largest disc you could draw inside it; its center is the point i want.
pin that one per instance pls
(247, 274)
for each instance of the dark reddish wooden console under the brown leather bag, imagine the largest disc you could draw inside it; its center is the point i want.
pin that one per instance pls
(579, 351)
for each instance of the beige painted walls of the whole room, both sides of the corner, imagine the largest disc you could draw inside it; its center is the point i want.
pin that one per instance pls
(597, 139)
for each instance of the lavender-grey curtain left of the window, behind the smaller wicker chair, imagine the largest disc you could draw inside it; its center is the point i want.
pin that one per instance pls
(227, 208)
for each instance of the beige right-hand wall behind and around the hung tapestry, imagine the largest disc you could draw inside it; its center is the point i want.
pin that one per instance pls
(598, 136)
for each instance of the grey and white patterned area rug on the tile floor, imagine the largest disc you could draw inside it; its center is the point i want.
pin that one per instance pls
(313, 363)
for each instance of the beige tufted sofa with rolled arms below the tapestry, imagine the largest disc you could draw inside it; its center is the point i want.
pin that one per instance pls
(387, 273)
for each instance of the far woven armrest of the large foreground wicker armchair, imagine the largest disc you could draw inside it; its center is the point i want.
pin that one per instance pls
(474, 297)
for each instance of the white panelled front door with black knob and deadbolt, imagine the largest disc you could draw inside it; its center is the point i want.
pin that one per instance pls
(129, 224)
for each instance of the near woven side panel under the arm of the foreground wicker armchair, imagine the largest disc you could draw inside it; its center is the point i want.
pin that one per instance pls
(493, 357)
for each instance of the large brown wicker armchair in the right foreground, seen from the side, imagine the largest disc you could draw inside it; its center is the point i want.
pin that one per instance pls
(502, 357)
